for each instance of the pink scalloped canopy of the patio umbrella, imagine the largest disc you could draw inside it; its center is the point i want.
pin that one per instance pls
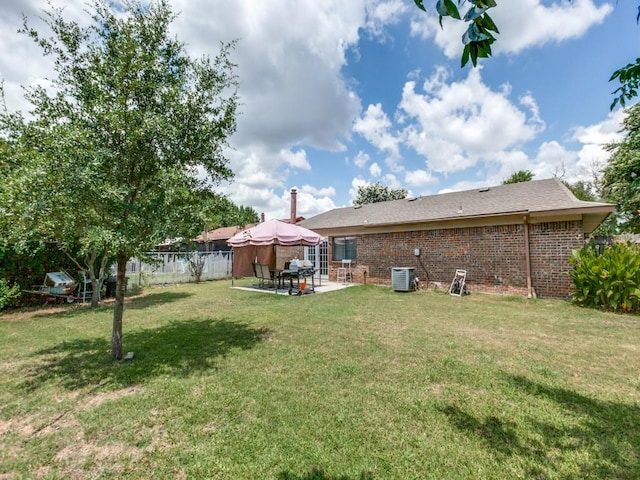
(275, 232)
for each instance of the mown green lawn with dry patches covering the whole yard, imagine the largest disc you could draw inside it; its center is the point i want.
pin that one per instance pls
(361, 383)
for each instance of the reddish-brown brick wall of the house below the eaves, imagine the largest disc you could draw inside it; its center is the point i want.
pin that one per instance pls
(493, 256)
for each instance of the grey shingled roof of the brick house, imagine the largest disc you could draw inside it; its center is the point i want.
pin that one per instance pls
(538, 198)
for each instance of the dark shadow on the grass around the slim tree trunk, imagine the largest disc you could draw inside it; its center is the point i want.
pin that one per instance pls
(179, 349)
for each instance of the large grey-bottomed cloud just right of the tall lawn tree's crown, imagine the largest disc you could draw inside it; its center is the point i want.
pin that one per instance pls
(292, 91)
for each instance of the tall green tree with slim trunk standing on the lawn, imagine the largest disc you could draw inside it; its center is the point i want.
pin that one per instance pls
(130, 120)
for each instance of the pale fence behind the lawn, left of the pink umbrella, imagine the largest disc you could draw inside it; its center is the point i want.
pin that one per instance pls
(176, 267)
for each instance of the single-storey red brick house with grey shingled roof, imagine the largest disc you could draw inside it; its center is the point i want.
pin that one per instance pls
(509, 238)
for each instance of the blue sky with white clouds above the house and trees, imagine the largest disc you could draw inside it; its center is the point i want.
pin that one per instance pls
(337, 94)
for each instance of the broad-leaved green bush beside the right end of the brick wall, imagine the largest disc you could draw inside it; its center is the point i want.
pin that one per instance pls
(609, 279)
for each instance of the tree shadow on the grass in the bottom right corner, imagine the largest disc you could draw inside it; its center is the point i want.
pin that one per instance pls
(603, 435)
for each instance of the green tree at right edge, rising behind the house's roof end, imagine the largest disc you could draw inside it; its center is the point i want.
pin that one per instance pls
(621, 182)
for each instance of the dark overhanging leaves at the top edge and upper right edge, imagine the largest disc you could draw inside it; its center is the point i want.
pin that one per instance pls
(480, 32)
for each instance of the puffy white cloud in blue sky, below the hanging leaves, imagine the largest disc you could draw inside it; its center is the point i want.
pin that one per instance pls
(456, 125)
